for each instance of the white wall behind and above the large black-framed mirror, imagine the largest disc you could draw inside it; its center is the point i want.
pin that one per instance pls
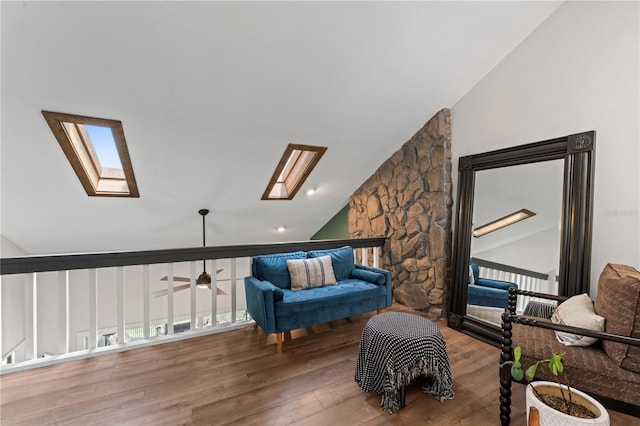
(578, 71)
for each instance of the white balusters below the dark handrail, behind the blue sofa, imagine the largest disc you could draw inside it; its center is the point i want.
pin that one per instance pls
(98, 308)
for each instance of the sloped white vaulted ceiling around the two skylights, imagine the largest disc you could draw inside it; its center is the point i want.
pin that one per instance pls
(210, 94)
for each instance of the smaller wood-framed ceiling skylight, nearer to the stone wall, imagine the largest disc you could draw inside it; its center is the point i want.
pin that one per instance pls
(294, 167)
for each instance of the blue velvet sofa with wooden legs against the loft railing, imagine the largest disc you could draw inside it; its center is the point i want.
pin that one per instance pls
(277, 308)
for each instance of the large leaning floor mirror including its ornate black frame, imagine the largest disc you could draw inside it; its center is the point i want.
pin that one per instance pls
(549, 186)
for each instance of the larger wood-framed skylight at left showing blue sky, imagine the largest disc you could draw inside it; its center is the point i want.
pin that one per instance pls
(97, 151)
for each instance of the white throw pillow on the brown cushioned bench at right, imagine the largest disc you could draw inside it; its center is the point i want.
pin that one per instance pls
(577, 311)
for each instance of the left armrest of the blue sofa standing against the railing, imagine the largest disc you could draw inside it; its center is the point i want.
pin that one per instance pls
(261, 297)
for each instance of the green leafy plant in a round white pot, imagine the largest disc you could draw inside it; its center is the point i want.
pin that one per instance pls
(556, 402)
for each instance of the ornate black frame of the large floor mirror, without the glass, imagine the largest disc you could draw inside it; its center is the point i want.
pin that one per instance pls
(578, 152)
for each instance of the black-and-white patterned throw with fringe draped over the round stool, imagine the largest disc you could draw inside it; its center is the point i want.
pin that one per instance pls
(397, 347)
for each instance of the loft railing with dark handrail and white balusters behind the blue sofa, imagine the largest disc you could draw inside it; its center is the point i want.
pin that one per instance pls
(81, 306)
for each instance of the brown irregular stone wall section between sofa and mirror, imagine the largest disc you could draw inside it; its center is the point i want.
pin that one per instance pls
(408, 200)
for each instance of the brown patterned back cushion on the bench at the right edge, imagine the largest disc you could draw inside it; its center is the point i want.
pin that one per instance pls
(618, 300)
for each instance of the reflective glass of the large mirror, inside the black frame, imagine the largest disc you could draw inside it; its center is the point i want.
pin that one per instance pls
(526, 253)
